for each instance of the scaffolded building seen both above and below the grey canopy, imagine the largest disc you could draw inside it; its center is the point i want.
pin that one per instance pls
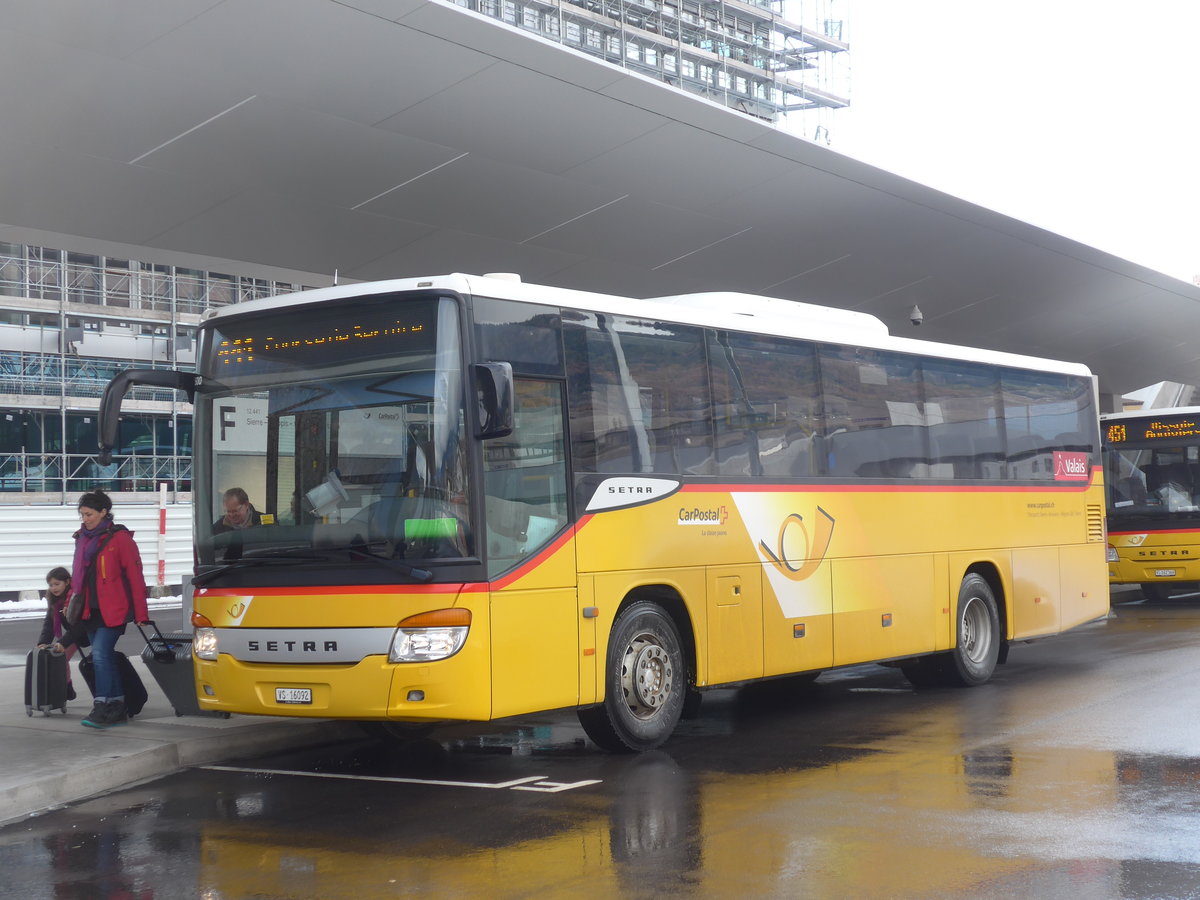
(75, 313)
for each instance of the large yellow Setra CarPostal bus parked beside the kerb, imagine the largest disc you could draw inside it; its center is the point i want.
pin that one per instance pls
(477, 499)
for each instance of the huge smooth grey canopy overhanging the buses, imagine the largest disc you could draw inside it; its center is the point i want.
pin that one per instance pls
(387, 139)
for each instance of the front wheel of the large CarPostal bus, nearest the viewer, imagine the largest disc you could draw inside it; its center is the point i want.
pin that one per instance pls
(646, 681)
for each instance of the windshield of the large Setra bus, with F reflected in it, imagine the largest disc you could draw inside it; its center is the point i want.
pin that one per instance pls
(335, 434)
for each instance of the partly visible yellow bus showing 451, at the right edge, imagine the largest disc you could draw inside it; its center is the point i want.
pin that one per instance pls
(1153, 471)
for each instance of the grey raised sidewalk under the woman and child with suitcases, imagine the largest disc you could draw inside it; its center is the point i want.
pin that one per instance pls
(50, 761)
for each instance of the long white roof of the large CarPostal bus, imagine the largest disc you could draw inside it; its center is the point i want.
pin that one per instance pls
(725, 310)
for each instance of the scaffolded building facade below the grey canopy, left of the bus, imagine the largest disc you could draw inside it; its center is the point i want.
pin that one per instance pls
(70, 322)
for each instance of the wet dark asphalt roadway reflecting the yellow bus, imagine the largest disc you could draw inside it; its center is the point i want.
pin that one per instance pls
(1071, 776)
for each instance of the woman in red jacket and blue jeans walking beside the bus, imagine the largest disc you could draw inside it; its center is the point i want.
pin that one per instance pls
(109, 573)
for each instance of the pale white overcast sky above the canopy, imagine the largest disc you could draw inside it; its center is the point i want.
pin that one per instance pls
(1076, 116)
